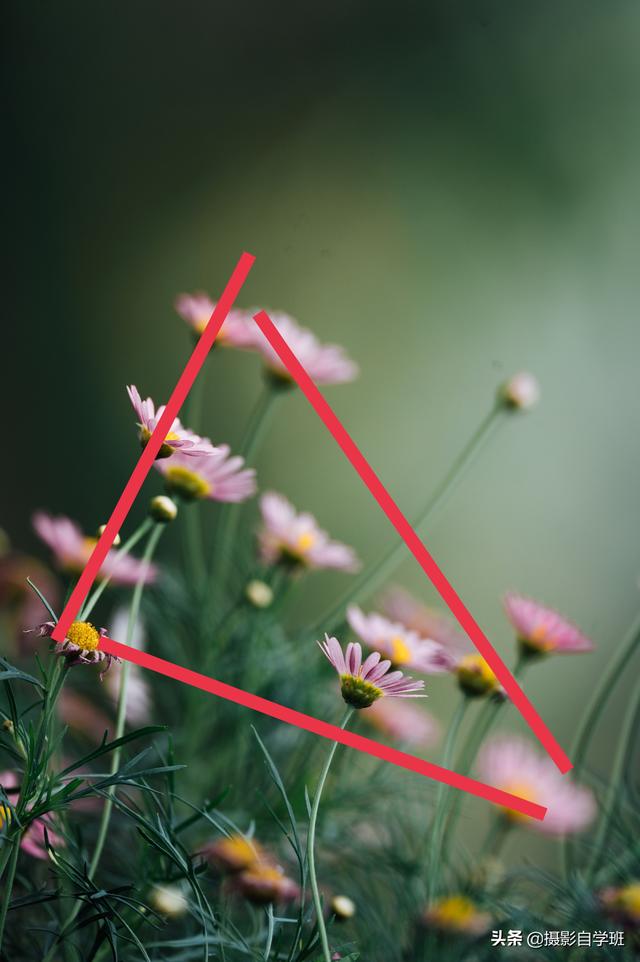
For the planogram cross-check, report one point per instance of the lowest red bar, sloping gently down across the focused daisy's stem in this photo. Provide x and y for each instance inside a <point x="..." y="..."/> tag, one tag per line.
<point x="318" y="727"/>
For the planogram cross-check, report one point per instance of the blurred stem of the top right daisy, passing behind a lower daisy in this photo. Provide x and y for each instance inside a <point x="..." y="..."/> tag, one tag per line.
<point x="230" y="513"/>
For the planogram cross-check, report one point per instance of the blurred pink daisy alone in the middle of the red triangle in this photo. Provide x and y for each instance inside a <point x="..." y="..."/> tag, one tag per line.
<point x="289" y="537"/>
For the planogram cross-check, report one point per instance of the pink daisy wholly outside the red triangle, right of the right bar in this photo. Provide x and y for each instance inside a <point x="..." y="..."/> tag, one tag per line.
<point x="542" y="630"/>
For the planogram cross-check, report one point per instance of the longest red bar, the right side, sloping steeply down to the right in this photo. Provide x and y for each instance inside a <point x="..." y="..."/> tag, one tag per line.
<point x="412" y="541"/>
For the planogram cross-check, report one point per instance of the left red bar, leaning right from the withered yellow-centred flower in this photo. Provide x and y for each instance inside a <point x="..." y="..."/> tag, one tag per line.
<point x="146" y="459"/>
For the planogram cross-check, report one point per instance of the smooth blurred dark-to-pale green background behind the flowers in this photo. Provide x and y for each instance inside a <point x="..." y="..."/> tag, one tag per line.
<point x="450" y="190"/>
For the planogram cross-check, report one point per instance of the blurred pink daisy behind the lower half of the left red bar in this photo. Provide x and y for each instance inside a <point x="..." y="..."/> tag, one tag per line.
<point x="72" y="549"/>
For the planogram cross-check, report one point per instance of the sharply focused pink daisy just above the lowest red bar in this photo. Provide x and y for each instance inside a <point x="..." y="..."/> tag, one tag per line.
<point x="362" y="683"/>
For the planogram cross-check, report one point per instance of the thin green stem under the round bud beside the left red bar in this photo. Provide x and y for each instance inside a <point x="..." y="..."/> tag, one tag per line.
<point x="121" y="716"/>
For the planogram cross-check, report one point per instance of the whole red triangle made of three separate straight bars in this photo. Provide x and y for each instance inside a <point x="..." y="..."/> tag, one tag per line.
<point x="393" y="513"/>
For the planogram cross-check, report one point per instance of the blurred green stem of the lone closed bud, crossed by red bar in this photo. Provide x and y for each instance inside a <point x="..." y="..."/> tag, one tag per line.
<point x="370" y="579"/>
